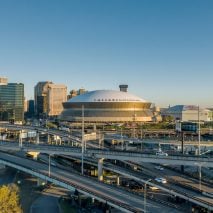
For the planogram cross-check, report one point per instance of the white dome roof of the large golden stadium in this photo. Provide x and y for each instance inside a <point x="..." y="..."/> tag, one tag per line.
<point x="106" y="96"/>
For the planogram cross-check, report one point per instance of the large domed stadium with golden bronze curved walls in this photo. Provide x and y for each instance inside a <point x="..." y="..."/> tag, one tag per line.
<point x="106" y="106"/>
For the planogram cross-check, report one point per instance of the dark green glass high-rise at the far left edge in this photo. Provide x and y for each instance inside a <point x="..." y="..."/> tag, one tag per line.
<point x="12" y="102"/>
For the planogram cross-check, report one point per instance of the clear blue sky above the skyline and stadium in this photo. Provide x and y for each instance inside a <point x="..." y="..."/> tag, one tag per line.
<point x="163" y="49"/>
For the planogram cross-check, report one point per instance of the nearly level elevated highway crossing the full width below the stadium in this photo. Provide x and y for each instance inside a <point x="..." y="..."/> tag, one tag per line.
<point x="189" y="160"/>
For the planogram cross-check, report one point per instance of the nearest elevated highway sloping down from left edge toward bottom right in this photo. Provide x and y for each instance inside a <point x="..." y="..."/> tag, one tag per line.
<point x="116" y="197"/>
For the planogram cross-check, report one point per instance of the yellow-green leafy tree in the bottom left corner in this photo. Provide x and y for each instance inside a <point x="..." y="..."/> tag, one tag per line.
<point x="9" y="199"/>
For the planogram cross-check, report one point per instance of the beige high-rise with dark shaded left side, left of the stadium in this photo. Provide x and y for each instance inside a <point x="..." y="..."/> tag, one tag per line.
<point x="49" y="98"/>
